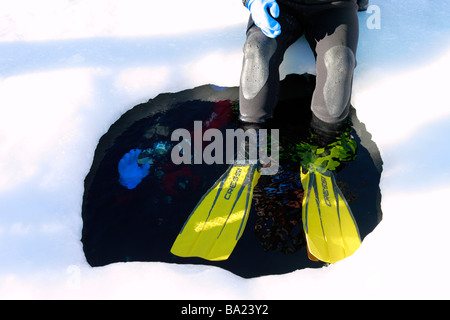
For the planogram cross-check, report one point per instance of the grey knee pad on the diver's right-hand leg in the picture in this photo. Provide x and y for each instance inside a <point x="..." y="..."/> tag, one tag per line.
<point x="340" y="63"/>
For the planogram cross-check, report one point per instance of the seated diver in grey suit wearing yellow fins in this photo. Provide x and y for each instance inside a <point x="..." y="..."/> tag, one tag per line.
<point x="332" y="30"/>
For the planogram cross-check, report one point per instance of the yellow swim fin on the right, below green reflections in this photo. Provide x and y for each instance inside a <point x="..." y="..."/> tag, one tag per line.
<point x="331" y="231"/>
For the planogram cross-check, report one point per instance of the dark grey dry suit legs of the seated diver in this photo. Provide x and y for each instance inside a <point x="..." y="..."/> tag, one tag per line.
<point x="331" y="29"/>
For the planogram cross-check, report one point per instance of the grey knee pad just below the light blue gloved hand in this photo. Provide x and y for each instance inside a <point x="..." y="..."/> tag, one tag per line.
<point x="258" y="50"/>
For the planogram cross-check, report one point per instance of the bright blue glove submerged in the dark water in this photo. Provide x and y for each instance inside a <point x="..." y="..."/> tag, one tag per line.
<point x="131" y="174"/>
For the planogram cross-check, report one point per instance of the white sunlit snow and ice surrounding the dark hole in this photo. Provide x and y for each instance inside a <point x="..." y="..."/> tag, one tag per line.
<point x="70" y="68"/>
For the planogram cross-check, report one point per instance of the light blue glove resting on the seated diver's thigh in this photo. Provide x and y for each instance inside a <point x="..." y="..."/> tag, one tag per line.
<point x="263" y="14"/>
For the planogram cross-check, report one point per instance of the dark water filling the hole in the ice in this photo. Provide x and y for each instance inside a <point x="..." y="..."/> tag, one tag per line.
<point x="121" y="225"/>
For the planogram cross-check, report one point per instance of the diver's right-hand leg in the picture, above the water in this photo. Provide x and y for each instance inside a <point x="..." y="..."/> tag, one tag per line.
<point x="333" y="35"/>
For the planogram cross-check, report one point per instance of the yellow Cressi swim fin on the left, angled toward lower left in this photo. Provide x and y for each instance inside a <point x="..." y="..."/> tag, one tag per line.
<point x="218" y="221"/>
